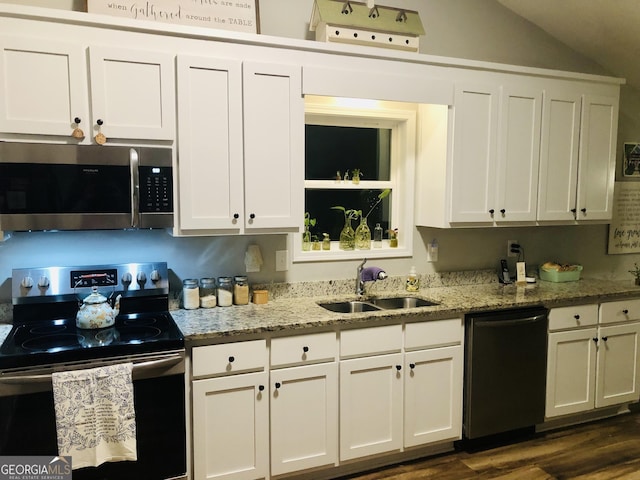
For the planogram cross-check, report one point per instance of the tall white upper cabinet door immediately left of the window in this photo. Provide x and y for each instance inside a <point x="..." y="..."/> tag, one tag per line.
<point x="273" y="146"/>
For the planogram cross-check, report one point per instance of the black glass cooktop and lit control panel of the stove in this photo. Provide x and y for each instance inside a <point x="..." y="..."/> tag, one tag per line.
<point x="45" y="302"/>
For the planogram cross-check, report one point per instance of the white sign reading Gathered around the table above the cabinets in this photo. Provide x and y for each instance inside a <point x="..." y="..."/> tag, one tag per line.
<point x="238" y="15"/>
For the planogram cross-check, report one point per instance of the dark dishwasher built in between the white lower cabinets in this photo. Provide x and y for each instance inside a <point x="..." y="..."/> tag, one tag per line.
<point x="505" y="371"/>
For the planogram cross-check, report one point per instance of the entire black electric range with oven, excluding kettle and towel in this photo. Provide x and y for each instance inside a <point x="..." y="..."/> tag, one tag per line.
<point x="44" y="339"/>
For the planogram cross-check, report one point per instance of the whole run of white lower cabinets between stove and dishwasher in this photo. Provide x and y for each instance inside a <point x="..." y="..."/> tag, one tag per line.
<point x="314" y="401"/>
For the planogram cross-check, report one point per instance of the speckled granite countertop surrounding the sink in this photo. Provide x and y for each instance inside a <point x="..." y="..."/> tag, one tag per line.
<point x="289" y="314"/>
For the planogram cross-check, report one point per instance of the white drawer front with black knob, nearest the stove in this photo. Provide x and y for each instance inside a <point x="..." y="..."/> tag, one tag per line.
<point x="230" y="358"/>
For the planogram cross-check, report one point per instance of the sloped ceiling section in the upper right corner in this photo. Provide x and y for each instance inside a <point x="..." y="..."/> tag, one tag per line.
<point x="605" y="31"/>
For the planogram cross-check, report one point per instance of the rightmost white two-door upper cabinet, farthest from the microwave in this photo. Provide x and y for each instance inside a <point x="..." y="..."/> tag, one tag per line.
<point x="577" y="166"/>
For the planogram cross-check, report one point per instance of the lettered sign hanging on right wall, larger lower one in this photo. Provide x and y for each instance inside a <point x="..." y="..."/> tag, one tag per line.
<point x="624" y="230"/>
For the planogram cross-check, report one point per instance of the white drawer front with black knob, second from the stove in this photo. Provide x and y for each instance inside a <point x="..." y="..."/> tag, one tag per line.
<point x="302" y="349"/>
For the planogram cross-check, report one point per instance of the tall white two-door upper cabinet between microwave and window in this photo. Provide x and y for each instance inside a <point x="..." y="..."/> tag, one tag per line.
<point x="240" y="146"/>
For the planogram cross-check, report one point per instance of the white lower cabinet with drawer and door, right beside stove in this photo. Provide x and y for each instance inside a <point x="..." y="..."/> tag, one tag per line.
<point x="231" y="412"/>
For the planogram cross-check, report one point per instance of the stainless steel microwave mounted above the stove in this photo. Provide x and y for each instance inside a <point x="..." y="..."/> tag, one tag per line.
<point x="84" y="187"/>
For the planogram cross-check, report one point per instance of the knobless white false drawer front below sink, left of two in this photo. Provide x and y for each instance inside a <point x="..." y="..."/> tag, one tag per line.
<point x="371" y="341"/>
